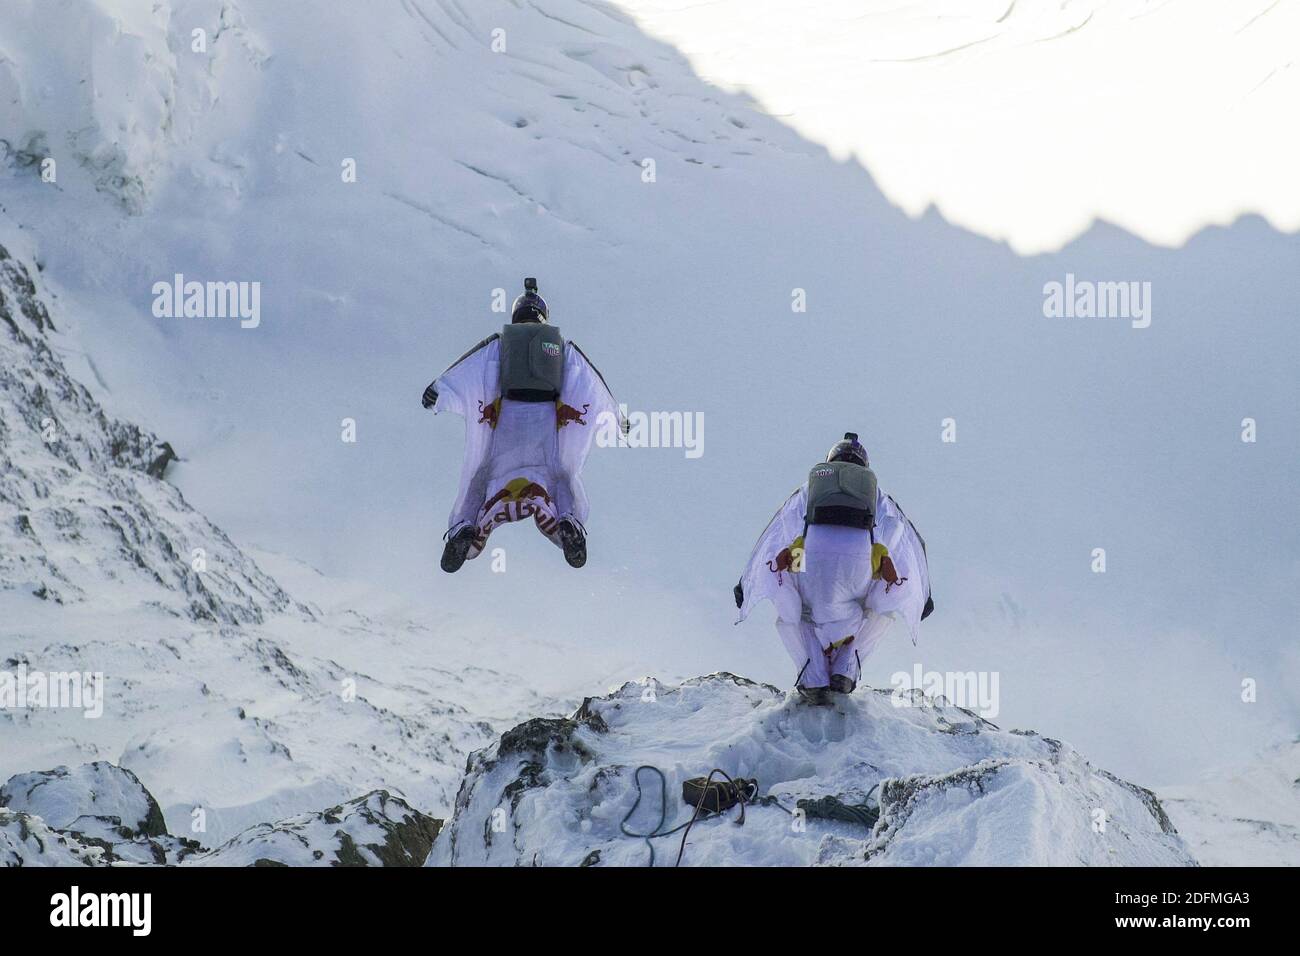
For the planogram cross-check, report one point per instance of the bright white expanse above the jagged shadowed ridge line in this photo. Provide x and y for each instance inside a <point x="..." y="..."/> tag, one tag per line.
<point x="1026" y="120"/>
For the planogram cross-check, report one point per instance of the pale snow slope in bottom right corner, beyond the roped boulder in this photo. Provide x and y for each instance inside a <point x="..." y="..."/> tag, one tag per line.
<point x="1243" y="817"/>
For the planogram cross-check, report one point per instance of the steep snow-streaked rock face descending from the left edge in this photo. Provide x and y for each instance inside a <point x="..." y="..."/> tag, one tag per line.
<point x="84" y="507"/>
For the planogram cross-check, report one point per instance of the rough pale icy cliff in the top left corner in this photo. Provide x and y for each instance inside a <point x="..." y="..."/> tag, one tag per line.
<point x="116" y="89"/>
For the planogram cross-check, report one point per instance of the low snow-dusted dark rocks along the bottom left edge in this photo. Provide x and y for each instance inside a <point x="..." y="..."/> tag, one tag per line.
<point x="101" y="815"/>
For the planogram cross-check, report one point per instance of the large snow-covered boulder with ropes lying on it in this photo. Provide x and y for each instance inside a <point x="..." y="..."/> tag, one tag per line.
<point x="951" y="789"/>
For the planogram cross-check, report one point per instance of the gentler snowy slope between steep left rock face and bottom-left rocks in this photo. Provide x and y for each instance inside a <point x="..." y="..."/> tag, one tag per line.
<point x="257" y="725"/>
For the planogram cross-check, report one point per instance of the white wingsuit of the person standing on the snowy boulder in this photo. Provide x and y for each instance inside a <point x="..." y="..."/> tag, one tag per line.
<point x="833" y="604"/>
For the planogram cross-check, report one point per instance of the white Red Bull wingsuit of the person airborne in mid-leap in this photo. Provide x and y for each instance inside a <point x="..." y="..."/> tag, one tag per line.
<point x="523" y="460"/>
